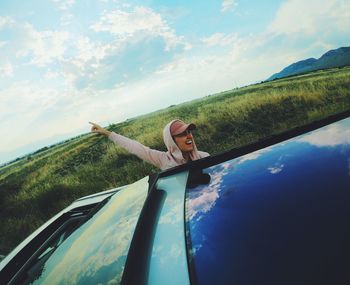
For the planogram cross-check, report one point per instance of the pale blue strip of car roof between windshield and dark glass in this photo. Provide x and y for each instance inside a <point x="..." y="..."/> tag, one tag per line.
<point x="168" y="264"/>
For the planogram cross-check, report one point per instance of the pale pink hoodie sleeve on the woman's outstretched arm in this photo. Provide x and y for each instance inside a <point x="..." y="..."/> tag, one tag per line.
<point x="145" y="153"/>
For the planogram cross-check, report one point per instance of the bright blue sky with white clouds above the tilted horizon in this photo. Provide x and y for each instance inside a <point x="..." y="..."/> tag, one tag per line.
<point x="65" y="63"/>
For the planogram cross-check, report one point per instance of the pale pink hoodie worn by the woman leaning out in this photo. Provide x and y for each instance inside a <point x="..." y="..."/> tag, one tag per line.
<point x="164" y="160"/>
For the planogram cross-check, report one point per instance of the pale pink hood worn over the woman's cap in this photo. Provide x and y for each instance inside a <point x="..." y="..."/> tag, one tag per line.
<point x="174" y="150"/>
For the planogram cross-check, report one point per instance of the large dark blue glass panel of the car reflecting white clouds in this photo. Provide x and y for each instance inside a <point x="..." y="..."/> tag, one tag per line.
<point x="275" y="216"/>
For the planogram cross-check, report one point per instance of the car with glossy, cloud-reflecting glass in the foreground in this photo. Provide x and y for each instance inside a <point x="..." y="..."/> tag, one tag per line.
<point x="272" y="212"/>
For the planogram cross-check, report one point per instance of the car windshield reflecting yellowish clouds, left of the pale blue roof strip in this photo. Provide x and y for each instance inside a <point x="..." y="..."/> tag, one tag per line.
<point x="95" y="252"/>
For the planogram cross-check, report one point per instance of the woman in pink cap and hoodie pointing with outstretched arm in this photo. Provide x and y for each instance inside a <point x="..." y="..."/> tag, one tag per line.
<point x="177" y="138"/>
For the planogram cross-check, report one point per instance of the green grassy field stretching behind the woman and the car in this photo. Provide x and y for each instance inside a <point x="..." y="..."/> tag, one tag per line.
<point x="34" y="188"/>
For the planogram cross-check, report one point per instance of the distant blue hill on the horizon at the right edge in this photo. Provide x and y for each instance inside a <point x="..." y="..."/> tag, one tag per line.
<point x="333" y="58"/>
